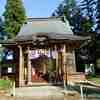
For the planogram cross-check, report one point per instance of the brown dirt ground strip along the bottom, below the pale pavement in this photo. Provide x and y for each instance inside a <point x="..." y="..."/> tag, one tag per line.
<point x="53" y="97"/>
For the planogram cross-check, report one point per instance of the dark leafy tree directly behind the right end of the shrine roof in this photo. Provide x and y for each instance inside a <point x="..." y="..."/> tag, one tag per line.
<point x="80" y="24"/>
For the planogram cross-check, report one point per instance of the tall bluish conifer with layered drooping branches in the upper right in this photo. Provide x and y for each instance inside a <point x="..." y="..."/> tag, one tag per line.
<point x="88" y="10"/>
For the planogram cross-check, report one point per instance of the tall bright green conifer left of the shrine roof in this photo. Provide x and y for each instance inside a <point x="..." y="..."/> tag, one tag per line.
<point x="14" y="16"/>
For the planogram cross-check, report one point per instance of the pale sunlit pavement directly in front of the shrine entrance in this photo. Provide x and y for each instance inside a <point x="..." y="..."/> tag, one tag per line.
<point x="38" y="91"/>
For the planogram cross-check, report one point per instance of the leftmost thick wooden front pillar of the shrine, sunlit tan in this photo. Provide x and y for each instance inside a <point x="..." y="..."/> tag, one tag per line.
<point x="21" y="66"/>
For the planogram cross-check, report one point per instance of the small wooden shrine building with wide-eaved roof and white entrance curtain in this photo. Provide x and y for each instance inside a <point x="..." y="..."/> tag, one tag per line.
<point x="44" y="49"/>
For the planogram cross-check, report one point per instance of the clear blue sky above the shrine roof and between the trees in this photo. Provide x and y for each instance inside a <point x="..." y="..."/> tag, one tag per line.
<point x="36" y="8"/>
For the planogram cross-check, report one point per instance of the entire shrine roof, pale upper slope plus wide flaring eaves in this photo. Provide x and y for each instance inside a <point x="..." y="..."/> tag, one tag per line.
<point x="53" y="28"/>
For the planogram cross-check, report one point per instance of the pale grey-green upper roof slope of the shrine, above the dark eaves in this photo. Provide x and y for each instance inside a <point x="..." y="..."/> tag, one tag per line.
<point x="45" y="25"/>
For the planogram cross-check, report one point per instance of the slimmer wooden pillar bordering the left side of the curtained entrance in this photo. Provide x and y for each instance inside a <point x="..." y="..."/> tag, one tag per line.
<point x="29" y="68"/>
